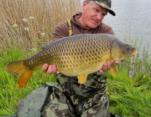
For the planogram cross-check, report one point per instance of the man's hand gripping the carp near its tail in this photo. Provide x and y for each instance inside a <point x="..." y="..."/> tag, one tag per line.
<point x="50" y="68"/>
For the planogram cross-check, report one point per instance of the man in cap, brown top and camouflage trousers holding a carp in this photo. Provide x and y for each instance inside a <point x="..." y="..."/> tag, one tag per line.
<point x="68" y="98"/>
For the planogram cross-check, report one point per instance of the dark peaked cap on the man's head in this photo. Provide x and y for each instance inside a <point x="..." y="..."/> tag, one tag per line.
<point x="105" y="4"/>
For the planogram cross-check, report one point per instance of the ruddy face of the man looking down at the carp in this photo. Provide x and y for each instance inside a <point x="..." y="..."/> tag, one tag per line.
<point x="93" y="14"/>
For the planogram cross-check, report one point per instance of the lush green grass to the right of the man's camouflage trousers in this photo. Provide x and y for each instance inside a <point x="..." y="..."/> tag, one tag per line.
<point x="130" y="96"/>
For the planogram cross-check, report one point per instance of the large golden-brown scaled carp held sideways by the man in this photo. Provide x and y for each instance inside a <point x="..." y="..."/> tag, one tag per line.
<point x="77" y="55"/>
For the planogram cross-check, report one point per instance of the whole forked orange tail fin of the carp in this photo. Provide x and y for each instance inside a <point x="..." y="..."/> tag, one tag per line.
<point x="22" y="70"/>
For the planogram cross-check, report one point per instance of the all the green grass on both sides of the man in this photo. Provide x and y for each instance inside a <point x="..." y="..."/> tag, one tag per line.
<point x="129" y="96"/>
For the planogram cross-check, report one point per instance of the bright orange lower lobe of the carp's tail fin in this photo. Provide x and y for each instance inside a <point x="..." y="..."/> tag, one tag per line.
<point x="24" y="77"/>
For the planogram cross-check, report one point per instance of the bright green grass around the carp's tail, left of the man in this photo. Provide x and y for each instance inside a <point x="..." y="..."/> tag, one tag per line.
<point x="10" y="95"/>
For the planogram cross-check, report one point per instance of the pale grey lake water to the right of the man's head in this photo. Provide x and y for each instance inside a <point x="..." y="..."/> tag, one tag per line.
<point x="132" y="21"/>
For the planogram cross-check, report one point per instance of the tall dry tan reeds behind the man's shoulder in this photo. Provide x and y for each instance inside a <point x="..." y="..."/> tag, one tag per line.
<point x="30" y="23"/>
